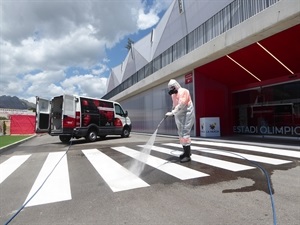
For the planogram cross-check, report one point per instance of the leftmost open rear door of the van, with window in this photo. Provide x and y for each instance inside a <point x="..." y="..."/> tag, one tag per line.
<point x="43" y="108"/>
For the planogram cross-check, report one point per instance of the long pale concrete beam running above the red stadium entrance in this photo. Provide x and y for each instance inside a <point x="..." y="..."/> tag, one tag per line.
<point x="282" y="15"/>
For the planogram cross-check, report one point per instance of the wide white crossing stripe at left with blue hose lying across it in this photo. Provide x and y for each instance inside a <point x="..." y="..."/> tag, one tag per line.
<point x="57" y="187"/>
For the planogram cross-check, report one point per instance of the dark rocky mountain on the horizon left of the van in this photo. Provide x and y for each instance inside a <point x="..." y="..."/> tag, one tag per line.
<point x="14" y="102"/>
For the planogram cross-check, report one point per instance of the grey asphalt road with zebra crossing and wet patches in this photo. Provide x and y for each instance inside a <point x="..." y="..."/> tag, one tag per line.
<point x="94" y="183"/>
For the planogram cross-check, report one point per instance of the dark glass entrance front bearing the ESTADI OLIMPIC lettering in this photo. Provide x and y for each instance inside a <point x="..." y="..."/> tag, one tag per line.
<point x="272" y="110"/>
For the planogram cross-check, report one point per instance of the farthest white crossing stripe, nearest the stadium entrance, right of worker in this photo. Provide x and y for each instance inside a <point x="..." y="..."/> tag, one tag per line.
<point x="274" y="151"/>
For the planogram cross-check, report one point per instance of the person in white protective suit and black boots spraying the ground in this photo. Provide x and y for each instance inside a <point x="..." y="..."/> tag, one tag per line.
<point x="183" y="111"/>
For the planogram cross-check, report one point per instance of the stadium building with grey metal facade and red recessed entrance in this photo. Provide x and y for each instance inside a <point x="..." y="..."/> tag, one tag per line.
<point x="240" y="60"/>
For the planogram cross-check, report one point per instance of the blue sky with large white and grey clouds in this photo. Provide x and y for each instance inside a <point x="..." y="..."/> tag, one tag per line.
<point x="55" y="47"/>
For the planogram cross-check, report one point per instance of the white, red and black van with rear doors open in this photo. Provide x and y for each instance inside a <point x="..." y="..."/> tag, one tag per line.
<point x="69" y="116"/>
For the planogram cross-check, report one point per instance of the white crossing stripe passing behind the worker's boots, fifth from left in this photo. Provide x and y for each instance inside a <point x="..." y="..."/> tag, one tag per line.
<point x="209" y="161"/>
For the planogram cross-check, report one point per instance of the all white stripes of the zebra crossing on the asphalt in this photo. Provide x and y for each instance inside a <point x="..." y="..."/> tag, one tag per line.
<point x="53" y="181"/>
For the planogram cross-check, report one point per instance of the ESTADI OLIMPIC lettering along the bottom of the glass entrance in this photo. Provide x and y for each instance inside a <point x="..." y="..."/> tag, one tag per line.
<point x="268" y="130"/>
